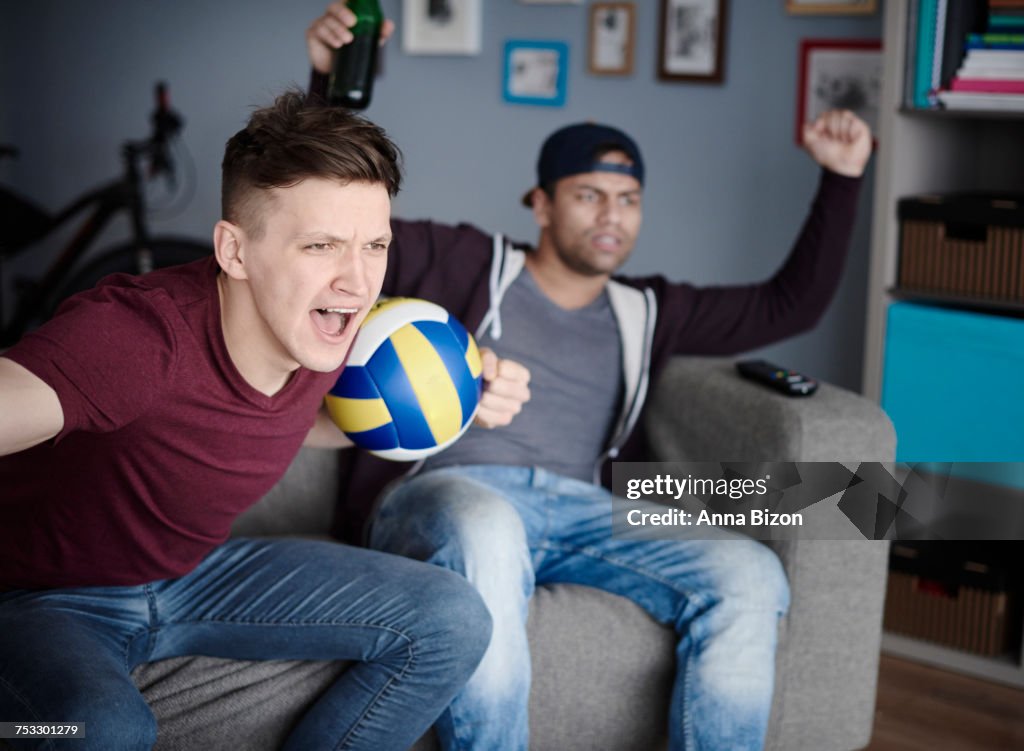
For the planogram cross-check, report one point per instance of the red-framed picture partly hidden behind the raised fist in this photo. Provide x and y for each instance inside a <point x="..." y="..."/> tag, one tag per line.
<point x="839" y="74"/>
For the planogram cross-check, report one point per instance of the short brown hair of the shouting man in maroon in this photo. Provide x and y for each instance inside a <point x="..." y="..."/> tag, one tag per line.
<point x="290" y="141"/>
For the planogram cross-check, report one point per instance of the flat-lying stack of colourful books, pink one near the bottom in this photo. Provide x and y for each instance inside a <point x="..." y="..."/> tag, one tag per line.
<point x="992" y="76"/>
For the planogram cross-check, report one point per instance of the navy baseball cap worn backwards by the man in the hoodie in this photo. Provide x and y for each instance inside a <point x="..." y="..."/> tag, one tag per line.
<point x="576" y="149"/>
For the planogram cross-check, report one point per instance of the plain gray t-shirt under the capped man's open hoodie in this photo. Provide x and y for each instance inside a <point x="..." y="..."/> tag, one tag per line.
<point x="575" y="360"/>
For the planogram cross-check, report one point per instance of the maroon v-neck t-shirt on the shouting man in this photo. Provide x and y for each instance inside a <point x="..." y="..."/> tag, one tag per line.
<point x="164" y="443"/>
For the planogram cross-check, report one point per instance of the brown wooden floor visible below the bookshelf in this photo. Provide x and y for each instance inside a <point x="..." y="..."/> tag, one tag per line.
<point x="921" y="708"/>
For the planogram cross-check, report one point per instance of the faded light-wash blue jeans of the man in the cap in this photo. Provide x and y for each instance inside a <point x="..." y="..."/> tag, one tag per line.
<point x="507" y="529"/>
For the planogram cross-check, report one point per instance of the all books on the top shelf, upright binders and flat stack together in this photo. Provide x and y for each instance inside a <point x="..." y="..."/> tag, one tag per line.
<point x="965" y="55"/>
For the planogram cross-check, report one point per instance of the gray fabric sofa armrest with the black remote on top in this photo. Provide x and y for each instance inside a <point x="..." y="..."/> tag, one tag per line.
<point x="827" y="664"/>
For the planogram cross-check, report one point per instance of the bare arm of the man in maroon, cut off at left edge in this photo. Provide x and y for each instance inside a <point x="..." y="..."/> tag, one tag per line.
<point x="31" y="411"/>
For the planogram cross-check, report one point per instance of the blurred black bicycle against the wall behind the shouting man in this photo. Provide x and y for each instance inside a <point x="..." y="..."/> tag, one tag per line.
<point x="23" y="224"/>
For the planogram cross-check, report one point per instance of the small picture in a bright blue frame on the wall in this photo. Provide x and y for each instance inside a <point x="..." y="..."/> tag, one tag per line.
<point x="536" y="72"/>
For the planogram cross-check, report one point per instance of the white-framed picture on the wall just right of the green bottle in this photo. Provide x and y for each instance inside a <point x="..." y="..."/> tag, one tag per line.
<point x="442" y="27"/>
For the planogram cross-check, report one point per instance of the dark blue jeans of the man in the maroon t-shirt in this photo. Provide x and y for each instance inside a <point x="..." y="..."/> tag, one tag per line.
<point x="416" y="632"/>
